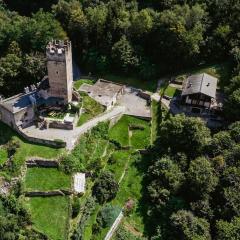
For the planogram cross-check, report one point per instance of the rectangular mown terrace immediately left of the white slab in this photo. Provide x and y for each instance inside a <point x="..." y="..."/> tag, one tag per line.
<point x="46" y="179"/>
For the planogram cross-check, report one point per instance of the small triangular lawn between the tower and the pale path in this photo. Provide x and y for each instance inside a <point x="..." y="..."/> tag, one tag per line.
<point x="92" y="109"/>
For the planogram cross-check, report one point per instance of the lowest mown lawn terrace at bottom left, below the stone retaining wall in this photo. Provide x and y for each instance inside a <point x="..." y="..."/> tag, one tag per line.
<point x="50" y="216"/>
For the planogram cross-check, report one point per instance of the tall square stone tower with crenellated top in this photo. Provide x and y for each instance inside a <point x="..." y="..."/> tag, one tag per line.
<point x="59" y="66"/>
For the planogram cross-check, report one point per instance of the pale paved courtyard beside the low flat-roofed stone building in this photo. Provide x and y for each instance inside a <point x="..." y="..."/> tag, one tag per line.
<point x="134" y="104"/>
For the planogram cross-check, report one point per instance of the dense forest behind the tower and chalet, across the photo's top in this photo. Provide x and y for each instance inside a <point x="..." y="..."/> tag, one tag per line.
<point x="143" y="38"/>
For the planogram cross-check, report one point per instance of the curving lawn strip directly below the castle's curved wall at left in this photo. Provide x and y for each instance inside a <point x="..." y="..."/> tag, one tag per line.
<point x="26" y="148"/>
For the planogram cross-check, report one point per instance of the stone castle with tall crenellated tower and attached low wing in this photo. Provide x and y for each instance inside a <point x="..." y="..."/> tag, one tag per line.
<point x="56" y="89"/>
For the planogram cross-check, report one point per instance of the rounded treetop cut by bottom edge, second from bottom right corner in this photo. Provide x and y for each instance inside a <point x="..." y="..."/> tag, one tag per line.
<point x="187" y="226"/>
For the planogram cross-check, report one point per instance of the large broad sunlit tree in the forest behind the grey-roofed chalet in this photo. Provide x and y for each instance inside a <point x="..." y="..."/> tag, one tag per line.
<point x="179" y="34"/>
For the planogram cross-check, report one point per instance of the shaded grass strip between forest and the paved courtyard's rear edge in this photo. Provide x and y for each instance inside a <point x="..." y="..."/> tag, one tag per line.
<point x="149" y="85"/>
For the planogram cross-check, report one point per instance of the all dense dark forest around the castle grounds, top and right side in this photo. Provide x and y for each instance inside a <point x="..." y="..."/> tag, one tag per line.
<point x="193" y="180"/>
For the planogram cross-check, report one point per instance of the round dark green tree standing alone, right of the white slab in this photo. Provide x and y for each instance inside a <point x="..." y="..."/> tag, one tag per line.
<point x="105" y="187"/>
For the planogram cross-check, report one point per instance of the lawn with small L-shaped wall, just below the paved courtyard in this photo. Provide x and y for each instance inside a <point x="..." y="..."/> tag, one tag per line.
<point x="140" y="138"/>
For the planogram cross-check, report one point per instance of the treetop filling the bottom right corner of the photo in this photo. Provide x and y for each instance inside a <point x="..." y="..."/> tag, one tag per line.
<point x="228" y="230"/>
